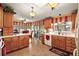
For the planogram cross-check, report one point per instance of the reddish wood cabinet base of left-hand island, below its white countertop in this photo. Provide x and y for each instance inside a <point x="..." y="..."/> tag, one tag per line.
<point x="16" y="43"/>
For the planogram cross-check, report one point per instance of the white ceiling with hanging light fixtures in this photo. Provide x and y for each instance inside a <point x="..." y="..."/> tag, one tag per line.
<point x="23" y="10"/>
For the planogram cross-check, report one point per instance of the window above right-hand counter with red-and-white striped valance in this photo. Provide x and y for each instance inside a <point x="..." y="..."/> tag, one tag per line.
<point x="65" y="23"/>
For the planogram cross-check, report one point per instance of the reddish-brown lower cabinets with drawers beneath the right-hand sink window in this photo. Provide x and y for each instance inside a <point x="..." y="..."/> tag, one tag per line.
<point x="65" y="43"/>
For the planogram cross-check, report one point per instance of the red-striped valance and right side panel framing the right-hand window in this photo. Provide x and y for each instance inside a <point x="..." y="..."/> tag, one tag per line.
<point x="69" y="17"/>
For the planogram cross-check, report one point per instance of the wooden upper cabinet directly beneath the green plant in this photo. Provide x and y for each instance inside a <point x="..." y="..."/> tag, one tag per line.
<point x="8" y="19"/>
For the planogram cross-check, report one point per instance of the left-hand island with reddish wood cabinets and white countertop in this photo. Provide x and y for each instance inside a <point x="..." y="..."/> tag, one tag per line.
<point x="15" y="42"/>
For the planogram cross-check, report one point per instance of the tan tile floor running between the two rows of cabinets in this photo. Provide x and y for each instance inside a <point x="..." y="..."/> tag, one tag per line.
<point x="36" y="48"/>
